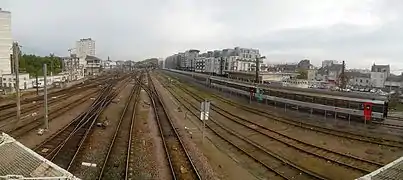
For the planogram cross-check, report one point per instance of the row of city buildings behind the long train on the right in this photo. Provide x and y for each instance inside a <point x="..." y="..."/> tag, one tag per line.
<point x="302" y="74"/>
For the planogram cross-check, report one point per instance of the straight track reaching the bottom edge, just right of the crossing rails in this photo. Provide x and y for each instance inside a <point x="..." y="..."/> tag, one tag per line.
<point x="117" y="160"/>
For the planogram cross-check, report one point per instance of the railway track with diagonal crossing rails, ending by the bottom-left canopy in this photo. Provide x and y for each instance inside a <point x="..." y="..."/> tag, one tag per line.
<point x="62" y="147"/>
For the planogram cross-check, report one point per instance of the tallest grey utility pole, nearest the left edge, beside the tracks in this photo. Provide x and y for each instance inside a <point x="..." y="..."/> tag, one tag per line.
<point x="16" y="56"/>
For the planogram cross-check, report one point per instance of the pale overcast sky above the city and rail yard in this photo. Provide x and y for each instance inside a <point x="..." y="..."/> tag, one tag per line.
<point x="359" y="31"/>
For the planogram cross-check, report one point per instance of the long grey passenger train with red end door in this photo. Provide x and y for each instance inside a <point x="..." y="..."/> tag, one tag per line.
<point x="346" y="105"/>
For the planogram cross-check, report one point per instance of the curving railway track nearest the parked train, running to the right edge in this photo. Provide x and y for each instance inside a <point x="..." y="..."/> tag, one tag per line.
<point x="311" y="127"/>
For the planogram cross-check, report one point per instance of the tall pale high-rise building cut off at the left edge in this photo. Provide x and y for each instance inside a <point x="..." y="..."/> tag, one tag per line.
<point x="6" y="42"/>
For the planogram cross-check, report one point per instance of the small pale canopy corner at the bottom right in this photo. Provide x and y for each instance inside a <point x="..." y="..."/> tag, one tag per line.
<point x="391" y="171"/>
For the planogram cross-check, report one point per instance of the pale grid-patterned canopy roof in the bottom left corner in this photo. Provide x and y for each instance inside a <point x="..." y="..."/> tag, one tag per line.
<point x="20" y="162"/>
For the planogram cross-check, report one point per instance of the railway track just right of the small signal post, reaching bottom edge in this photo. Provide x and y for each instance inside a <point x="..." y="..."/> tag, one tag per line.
<point x="276" y="164"/>
